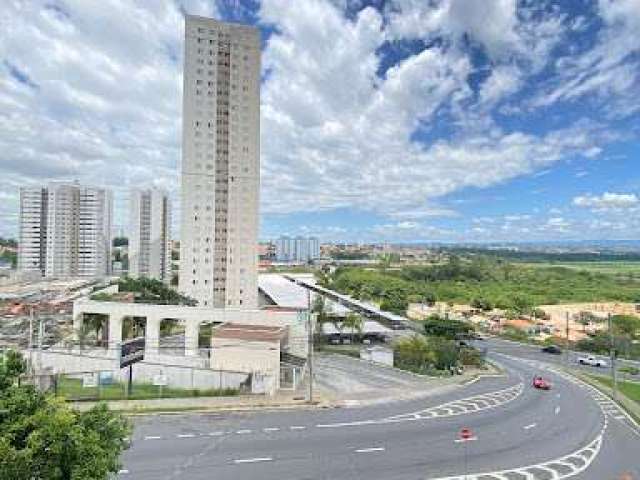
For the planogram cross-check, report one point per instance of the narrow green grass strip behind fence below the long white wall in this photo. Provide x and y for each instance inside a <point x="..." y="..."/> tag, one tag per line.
<point x="72" y="389"/>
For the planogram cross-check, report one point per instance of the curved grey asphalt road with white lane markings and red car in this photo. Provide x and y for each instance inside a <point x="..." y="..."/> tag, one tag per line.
<point x="521" y="433"/>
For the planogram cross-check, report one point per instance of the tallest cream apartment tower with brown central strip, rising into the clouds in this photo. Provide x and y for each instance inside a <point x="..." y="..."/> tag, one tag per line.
<point x="220" y="164"/>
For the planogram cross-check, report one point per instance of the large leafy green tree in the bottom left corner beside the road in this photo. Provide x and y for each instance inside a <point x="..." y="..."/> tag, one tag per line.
<point x="42" y="438"/>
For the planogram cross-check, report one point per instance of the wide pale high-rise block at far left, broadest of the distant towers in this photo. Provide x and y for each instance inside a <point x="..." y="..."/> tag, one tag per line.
<point x="75" y="230"/>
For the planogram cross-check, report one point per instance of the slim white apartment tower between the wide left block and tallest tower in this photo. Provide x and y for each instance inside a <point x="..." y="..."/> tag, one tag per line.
<point x="149" y="234"/>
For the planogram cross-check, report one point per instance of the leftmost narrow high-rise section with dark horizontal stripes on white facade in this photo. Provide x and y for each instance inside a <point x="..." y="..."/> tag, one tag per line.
<point x="32" y="243"/>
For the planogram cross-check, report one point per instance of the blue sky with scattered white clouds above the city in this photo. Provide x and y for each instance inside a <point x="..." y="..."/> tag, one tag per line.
<point x="381" y="121"/>
